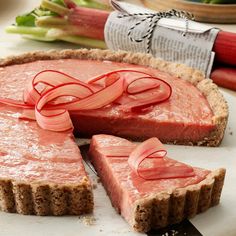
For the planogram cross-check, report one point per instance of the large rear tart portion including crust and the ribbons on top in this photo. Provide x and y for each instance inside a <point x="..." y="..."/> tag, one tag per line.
<point x="129" y="95"/>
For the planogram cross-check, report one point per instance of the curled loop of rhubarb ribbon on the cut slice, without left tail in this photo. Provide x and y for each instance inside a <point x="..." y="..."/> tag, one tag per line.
<point x="148" y="160"/>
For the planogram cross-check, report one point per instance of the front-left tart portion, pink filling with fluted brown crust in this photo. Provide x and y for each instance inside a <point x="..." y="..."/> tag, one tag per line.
<point x="41" y="172"/>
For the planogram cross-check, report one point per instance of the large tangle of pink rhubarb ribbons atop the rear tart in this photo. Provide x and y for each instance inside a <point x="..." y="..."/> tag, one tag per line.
<point x="52" y="95"/>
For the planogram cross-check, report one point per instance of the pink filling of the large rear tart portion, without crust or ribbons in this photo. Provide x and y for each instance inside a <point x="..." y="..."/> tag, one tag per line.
<point x="185" y="116"/>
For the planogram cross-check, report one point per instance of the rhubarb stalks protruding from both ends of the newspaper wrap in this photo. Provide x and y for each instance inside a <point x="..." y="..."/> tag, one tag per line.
<point x="83" y="21"/>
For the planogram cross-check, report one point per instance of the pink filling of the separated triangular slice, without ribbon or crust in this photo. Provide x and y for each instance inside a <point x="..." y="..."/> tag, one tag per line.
<point x="124" y="187"/>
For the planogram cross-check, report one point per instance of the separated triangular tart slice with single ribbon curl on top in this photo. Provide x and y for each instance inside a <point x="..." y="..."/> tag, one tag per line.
<point x="149" y="189"/>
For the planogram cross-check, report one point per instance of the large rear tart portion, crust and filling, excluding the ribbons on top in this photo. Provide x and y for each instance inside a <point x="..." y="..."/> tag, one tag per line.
<point x="195" y="114"/>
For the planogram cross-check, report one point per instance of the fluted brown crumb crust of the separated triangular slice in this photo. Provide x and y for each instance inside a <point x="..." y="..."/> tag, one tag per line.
<point x="166" y="208"/>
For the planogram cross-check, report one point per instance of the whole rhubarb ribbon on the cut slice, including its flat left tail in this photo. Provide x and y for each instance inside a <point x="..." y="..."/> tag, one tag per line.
<point x="148" y="160"/>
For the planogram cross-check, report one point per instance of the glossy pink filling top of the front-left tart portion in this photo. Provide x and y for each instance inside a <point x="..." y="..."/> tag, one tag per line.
<point x="29" y="153"/>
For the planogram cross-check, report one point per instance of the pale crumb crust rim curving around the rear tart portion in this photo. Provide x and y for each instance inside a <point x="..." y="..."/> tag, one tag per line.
<point x="206" y="86"/>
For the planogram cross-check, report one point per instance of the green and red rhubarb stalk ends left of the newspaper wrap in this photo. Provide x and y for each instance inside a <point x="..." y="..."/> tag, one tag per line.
<point x="80" y="25"/>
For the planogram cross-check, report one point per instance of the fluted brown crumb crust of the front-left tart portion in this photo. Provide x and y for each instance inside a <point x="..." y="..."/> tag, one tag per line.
<point x="42" y="198"/>
